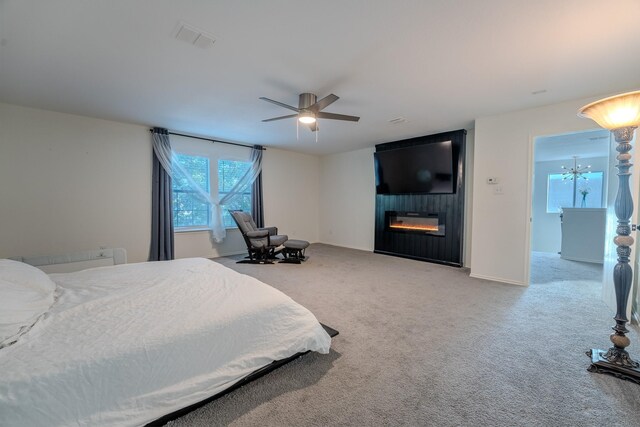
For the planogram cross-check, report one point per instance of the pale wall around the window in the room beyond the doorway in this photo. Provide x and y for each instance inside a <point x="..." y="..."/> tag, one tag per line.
<point x="546" y="235"/>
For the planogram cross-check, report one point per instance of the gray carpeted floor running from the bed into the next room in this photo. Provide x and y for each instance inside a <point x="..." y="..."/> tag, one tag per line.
<point x="422" y="344"/>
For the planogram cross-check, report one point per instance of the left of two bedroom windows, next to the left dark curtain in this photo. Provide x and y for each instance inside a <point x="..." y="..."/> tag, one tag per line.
<point x="189" y="209"/>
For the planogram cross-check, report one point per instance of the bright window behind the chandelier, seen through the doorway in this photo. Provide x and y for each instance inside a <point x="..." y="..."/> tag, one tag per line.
<point x="588" y="191"/>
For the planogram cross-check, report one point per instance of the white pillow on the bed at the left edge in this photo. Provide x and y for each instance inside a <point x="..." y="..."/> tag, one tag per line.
<point x="26" y="293"/>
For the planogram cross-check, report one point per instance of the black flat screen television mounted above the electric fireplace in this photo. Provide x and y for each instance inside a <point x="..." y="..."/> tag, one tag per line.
<point x="420" y="169"/>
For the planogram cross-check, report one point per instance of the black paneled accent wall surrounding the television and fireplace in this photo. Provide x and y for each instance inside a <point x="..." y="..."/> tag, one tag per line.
<point x="445" y="249"/>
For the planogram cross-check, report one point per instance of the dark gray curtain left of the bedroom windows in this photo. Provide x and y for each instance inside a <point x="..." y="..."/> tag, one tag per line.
<point x="161" y="203"/>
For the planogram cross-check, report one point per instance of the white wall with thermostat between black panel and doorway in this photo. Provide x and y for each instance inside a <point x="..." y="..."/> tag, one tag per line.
<point x="504" y="149"/>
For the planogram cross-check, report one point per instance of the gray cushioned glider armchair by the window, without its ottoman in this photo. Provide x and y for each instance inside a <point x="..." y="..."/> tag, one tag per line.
<point x="262" y="243"/>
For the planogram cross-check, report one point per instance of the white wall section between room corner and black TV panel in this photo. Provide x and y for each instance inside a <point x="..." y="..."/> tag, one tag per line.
<point x="347" y="199"/>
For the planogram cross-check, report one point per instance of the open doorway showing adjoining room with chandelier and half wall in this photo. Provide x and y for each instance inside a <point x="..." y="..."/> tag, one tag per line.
<point x="568" y="211"/>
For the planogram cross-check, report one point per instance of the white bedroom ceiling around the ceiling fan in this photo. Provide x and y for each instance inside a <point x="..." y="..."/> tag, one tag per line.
<point x="438" y="63"/>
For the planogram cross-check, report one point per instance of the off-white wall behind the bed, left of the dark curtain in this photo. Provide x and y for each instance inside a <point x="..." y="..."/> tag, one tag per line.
<point x="70" y="183"/>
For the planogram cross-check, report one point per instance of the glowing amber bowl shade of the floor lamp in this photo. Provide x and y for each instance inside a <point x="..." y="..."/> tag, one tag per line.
<point x="614" y="112"/>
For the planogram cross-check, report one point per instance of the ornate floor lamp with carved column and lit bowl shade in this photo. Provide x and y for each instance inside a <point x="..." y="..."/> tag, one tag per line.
<point x="621" y="115"/>
